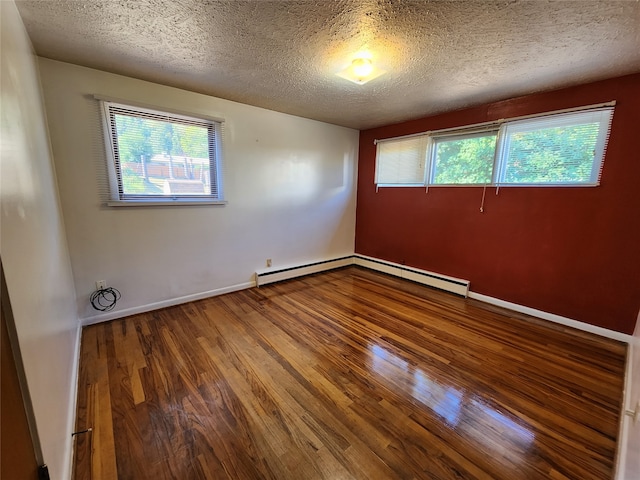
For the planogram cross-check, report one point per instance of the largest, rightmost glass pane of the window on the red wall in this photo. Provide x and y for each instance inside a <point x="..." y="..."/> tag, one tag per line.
<point x="555" y="150"/>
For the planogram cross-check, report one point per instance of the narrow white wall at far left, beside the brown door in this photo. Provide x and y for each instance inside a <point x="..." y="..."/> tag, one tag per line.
<point x="34" y="249"/>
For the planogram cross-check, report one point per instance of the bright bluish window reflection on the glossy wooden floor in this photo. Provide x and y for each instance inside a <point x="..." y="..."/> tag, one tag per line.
<point x="459" y="410"/>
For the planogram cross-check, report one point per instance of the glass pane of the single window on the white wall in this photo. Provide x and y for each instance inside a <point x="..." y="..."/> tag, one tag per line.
<point x="162" y="158"/>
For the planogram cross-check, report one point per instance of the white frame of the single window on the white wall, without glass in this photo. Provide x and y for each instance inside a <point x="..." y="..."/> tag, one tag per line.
<point x="117" y="196"/>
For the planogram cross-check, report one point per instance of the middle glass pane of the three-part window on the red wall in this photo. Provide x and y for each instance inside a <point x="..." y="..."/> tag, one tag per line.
<point x="465" y="159"/>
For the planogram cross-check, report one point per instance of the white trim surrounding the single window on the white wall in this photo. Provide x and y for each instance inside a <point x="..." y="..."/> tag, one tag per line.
<point x="115" y="199"/>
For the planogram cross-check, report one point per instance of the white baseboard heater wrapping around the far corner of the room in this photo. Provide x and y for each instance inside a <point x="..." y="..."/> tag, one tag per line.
<point x="431" y="279"/>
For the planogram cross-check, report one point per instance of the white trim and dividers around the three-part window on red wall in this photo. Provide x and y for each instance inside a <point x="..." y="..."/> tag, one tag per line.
<point x="499" y="162"/>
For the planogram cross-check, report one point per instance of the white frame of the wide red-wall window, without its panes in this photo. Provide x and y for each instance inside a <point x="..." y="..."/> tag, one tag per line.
<point x="500" y="129"/>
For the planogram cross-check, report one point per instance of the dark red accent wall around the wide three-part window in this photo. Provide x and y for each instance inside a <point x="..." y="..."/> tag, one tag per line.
<point x="573" y="251"/>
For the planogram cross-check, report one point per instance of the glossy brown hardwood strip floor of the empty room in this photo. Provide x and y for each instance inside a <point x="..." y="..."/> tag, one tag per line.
<point x="341" y="375"/>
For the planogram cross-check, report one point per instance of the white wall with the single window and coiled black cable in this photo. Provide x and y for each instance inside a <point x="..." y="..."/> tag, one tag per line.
<point x="289" y="181"/>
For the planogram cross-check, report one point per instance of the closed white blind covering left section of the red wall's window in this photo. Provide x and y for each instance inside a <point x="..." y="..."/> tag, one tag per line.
<point x="401" y="161"/>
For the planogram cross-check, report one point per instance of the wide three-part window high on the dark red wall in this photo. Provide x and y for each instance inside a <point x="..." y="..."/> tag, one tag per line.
<point x="554" y="149"/>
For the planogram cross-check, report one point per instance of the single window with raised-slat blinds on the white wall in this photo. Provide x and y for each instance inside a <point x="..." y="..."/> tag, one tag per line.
<point x="159" y="157"/>
